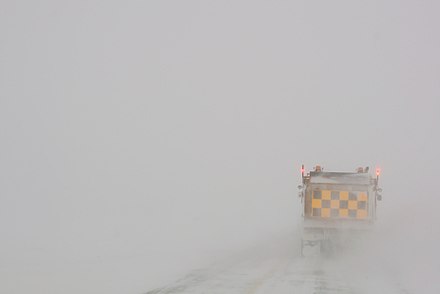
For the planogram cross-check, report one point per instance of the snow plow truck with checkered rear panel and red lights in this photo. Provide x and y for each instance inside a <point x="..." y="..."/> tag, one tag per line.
<point x="337" y="207"/>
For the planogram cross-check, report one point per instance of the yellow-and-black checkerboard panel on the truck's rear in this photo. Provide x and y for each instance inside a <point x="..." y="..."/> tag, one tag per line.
<point x="339" y="204"/>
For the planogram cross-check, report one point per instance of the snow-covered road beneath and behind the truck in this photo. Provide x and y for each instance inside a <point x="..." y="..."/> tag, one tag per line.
<point x="278" y="268"/>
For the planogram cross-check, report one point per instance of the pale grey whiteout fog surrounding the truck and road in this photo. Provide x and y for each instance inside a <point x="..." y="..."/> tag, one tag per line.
<point x="141" y="140"/>
